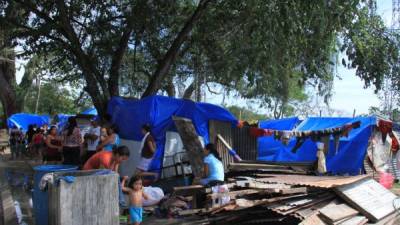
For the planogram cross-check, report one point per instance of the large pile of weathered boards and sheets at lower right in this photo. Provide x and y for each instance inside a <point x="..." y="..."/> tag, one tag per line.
<point x="264" y="197"/>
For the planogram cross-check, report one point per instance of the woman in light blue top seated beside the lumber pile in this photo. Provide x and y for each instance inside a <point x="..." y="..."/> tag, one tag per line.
<point x="213" y="167"/>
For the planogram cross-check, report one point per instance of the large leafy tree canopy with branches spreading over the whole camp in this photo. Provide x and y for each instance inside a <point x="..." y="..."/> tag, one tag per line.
<point x="257" y="48"/>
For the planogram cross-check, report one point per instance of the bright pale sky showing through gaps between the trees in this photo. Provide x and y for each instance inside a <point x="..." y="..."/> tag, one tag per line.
<point x="348" y="92"/>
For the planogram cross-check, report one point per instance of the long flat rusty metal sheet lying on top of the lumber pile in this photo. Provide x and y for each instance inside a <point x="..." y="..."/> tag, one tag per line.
<point x="312" y="181"/>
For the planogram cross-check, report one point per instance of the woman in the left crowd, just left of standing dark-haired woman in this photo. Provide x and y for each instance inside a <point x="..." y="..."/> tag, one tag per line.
<point x="52" y="152"/>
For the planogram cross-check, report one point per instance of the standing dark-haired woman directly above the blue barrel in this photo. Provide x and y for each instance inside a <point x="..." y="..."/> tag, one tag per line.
<point x="72" y="141"/>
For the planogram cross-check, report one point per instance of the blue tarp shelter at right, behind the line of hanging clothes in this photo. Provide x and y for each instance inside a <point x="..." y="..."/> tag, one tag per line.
<point x="352" y="149"/>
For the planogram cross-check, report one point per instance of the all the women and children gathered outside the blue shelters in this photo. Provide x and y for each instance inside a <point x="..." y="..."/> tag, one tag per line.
<point x="100" y="148"/>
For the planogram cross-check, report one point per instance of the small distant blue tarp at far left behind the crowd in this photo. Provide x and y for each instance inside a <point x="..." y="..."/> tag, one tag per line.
<point x="23" y="120"/>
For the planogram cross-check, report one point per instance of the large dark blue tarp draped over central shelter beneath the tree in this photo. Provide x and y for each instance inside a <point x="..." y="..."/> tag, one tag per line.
<point x="130" y="115"/>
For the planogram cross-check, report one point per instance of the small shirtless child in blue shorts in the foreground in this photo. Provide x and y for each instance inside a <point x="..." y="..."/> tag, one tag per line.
<point x="135" y="190"/>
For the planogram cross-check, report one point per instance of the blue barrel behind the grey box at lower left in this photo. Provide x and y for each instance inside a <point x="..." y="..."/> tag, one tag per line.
<point x="41" y="198"/>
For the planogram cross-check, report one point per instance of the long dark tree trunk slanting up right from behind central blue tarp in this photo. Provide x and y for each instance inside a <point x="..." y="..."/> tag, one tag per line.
<point x="170" y="57"/>
